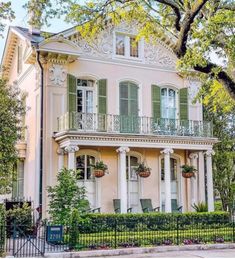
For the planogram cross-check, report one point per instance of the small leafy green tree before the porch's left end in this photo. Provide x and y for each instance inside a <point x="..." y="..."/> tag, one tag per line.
<point x="66" y="196"/>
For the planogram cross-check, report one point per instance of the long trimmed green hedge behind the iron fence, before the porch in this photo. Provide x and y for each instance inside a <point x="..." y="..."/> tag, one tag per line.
<point x="94" y="223"/>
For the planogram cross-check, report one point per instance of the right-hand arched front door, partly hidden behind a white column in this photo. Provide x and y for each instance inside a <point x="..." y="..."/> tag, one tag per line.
<point x="174" y="184"/>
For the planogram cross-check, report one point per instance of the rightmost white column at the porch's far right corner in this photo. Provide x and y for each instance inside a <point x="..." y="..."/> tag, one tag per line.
<point x="210" y="192"/>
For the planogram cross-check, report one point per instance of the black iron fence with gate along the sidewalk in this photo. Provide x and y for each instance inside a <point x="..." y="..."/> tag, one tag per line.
<point x="103" y="232"/>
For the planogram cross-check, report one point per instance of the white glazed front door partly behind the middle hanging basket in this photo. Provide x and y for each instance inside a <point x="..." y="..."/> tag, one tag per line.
<point x="132" y="183"/>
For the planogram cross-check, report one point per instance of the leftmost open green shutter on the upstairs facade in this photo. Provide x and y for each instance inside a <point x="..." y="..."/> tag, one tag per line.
<point x="72" y="93"/>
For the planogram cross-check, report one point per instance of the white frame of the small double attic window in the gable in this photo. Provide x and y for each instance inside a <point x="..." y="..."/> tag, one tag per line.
<point x="127" y="47"/>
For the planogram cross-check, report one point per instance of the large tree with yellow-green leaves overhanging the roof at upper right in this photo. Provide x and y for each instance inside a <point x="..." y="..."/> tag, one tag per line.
<point x="194" y="29"/>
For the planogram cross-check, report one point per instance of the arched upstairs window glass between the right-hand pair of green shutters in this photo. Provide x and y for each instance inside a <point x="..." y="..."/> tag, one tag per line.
<point x="168" y="103"/>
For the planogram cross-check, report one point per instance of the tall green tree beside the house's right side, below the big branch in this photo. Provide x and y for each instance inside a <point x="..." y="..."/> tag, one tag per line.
<point x="221" y="111"/>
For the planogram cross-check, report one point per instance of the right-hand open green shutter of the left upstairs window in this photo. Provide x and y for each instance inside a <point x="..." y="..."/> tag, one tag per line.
<point x="102" y="96"/>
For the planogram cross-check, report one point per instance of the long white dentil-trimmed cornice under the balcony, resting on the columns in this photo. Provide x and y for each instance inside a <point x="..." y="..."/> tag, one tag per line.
<point x="147" y="141"/>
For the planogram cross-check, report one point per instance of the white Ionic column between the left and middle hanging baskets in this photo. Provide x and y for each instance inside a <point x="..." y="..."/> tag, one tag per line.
<point x="122" y="178"/>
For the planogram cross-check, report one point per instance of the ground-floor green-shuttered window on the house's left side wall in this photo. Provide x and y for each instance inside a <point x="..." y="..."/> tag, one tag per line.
<point x="18" y="183"/>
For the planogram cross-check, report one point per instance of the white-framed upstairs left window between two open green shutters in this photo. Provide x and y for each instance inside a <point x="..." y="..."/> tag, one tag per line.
<point x="85" y="96"/>
